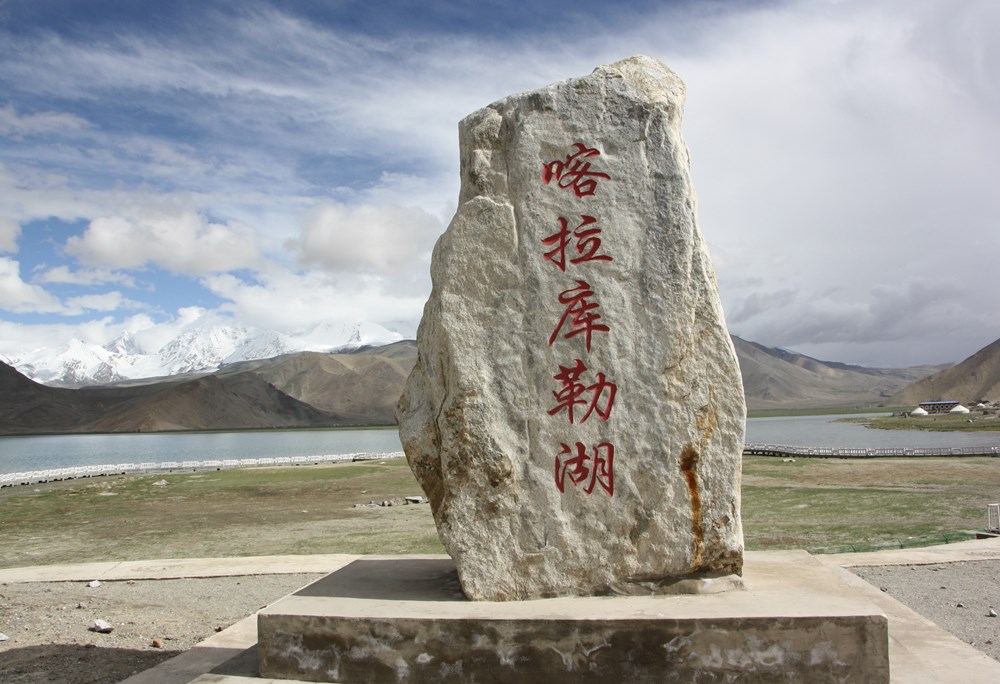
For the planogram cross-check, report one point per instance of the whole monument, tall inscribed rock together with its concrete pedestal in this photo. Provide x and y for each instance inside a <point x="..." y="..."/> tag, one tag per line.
<point x="576" y="419"/>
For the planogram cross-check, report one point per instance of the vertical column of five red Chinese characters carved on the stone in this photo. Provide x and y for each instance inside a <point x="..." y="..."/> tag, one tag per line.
<point x="580" y="393"/>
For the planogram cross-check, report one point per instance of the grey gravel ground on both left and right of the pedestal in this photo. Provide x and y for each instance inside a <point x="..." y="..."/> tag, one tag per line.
<point x="48" y="624"/>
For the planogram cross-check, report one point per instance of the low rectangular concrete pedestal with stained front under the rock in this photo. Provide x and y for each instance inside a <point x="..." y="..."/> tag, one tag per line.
<point x="404" y="619"/>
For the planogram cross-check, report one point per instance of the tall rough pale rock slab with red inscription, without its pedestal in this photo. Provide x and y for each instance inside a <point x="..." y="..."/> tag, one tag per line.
<point x="507" y="373"/>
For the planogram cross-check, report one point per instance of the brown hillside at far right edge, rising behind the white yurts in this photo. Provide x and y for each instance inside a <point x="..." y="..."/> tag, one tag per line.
<point x="975" y="379"/>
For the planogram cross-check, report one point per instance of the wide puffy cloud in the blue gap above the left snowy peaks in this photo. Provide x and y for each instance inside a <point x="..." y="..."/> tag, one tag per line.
<point x="184" y="243"/>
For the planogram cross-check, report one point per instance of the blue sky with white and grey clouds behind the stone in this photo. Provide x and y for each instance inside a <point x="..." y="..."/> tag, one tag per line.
<point x="278" y="164"/>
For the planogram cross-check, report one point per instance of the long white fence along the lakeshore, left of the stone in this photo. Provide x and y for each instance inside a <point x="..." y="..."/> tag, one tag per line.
<point x="56" y="474"/>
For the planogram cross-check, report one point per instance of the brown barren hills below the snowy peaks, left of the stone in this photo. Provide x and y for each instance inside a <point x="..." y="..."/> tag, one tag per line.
<point x="297" y="390"/>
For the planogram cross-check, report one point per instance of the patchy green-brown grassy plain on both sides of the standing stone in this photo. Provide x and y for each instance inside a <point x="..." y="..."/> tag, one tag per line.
<point x="810" y="503"/>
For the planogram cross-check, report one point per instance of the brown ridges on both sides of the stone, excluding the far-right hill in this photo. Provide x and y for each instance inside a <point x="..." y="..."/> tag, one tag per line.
<point x="360" y="387"/>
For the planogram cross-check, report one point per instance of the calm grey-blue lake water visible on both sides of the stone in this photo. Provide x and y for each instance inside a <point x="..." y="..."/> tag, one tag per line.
<point x="20" y="454"/>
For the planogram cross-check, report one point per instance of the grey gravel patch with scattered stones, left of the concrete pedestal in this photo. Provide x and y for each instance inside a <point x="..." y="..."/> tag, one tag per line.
<point x="49" y="624"/>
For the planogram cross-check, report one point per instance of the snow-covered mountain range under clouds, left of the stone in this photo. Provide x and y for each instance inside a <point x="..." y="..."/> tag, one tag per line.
<point x="196" y="348"/>
